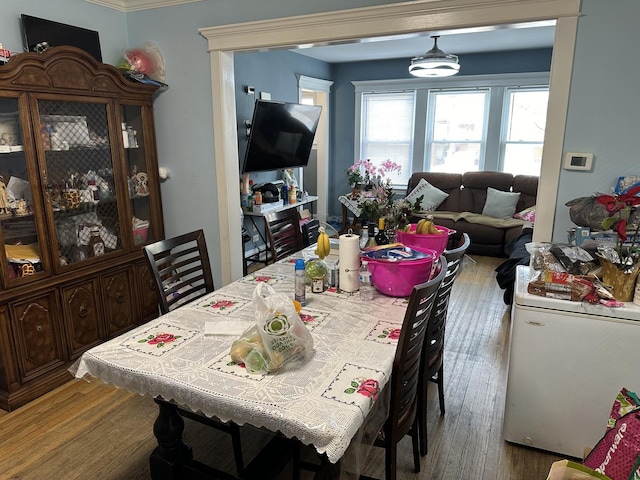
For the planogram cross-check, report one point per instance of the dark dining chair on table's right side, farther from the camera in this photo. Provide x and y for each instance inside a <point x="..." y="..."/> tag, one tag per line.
<point x="432" y="362"/>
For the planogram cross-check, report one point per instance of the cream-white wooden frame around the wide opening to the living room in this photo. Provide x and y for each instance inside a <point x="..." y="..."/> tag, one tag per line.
<point x="351" y="24"/>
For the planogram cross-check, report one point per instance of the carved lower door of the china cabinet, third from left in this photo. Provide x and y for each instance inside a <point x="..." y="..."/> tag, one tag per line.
<point x="117" y="301"/>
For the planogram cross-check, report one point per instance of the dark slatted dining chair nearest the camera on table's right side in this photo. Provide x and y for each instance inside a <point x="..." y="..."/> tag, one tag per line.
<point x="402" y="419"/>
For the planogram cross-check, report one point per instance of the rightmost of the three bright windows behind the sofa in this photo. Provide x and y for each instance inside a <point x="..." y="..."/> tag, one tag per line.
<point x="523" y="130"/>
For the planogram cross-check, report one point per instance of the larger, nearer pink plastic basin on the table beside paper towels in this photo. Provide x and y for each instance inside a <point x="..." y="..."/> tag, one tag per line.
<point x="397" y="279"/>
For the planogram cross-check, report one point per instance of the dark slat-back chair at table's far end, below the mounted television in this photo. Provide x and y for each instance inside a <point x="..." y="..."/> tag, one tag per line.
<point x="283" y="234"/>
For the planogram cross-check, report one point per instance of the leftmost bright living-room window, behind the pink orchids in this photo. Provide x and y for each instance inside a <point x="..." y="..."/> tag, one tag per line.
<point x="387" y="130"/>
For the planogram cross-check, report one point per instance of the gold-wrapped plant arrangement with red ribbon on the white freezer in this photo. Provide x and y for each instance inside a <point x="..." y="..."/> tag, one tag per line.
<point x="619" y="208"/>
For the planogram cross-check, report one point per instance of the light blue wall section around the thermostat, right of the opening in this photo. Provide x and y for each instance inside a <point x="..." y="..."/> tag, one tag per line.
<point x="604" y="106"/>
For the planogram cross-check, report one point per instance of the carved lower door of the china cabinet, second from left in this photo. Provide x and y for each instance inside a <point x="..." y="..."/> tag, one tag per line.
<point x="82" y="317"/>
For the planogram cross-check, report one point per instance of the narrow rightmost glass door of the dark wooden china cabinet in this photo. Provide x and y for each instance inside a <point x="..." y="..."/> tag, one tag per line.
<point x="133" y="139"/>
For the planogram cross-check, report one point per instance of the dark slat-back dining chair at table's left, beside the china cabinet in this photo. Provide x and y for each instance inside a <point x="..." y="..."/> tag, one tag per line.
<point x="182" y="273"/>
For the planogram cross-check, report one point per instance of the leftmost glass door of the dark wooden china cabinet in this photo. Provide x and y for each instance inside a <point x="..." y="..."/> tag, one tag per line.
<point x="22" y="258"/>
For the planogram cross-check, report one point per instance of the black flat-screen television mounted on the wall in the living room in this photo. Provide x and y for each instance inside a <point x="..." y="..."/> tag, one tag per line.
<point x="281" y="135"/>
